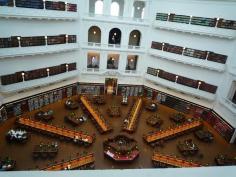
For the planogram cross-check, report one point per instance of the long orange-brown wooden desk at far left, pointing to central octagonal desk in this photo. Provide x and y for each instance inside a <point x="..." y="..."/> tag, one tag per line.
<point x="67" y="133"/>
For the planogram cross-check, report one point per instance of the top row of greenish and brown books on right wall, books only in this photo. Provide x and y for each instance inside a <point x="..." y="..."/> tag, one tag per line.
<point x="202" y="21"/>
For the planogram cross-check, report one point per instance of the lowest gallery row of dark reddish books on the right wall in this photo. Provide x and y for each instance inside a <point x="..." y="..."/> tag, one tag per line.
<point x="182" y="80"/>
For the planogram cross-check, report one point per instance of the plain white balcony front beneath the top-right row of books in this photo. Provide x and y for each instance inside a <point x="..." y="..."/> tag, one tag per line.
<point x="195" y="29"/>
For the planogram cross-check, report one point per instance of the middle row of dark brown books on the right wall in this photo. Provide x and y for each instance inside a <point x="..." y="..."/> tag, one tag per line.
<point x="211" y="56"/>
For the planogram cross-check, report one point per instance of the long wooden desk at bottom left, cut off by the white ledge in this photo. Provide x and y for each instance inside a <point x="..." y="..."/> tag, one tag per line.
<point x="72" y="164"/>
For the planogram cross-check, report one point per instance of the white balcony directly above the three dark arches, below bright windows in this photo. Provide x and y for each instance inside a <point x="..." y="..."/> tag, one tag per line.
<point x="117" y="19"/>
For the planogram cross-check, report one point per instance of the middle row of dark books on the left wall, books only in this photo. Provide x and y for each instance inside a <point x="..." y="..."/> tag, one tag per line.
<point x="35" y="40"/>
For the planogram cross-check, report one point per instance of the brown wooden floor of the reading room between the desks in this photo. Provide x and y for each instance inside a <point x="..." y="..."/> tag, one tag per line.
<point x="22" y="153"/>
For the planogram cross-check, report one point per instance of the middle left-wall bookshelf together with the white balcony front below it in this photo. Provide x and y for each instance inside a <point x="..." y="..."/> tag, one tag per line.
<point x="33" y="45"/>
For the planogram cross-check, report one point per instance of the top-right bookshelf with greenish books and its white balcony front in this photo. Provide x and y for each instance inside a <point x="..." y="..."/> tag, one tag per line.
<point x="209" y="26"/>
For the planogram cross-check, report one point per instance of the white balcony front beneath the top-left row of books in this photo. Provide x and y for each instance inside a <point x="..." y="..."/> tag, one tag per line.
<point x="33" y="13"/>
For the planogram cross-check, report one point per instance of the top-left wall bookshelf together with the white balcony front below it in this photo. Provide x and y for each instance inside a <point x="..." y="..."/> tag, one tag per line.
<point x="38" y="9"/>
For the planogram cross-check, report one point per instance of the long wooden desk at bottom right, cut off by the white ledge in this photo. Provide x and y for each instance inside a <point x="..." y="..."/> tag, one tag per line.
<point x="172" y="161"/>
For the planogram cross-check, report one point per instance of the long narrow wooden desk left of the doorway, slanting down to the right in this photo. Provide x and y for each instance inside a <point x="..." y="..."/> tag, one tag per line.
<point x="97" y="117"/>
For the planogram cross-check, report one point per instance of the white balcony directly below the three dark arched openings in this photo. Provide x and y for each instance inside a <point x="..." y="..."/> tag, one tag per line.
<point x="113" y="47"/>
